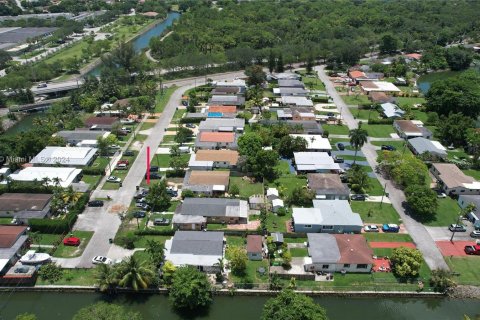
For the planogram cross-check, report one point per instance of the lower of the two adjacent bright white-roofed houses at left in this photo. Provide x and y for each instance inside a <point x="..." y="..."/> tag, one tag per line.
<point x="66" y="175"/>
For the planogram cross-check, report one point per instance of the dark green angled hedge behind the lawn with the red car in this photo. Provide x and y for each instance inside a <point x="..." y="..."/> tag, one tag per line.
<point x="60" y="226"/>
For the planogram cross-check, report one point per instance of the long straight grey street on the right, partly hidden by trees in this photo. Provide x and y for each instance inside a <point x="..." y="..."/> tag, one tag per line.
<point x="417" y="231"/>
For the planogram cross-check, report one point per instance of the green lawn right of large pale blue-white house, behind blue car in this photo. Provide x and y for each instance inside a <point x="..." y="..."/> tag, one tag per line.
<point x="371" y="212"/>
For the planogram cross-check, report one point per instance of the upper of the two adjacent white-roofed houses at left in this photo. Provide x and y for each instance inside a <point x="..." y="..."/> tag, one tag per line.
<point x="65" y="156"/>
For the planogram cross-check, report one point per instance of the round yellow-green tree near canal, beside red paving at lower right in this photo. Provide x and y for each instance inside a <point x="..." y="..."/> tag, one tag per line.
<point x="406" y="262"/>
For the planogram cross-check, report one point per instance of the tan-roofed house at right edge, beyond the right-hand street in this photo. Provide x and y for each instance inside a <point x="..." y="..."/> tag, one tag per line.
<point x="452" y="180"/>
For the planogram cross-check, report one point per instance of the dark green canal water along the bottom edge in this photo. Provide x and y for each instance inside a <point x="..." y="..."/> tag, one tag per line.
<point x="53" y="306"/>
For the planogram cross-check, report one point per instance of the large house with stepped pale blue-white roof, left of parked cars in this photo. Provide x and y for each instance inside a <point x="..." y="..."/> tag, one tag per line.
<point x="327" y="216"/>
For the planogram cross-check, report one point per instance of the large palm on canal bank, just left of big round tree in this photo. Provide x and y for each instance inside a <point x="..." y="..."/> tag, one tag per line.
<point x="134" y="274"/>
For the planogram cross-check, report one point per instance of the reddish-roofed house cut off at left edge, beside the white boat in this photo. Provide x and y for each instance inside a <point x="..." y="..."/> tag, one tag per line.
<point x="12" y="240"/>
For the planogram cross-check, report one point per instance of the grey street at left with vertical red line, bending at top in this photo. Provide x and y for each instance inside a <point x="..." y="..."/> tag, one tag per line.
<point x="105" y="221"/>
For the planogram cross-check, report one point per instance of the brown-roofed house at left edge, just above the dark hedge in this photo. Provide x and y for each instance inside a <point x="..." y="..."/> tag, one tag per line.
<point x="24" y="206"/>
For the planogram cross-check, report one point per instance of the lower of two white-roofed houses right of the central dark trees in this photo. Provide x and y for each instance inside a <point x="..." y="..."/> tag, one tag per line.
<point x="315" y="162"/>
